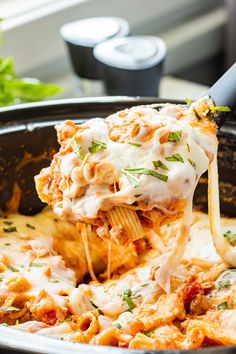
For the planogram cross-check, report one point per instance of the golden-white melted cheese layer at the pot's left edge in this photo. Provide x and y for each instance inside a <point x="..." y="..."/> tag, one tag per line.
<point x="29" y="253"/>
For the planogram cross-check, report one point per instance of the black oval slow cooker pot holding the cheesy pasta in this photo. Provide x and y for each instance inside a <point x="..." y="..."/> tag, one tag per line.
<point x="28" y="131"/>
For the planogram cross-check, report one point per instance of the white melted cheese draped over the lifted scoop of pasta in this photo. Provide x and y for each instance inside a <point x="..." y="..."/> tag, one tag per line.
<point x="194" y="147"/>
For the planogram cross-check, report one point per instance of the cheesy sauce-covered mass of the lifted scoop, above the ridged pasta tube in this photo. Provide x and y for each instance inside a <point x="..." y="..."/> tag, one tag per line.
<point x="139" y="155"/>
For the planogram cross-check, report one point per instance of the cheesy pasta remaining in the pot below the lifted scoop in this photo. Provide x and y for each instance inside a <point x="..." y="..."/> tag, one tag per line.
<point x="39" y="294"/>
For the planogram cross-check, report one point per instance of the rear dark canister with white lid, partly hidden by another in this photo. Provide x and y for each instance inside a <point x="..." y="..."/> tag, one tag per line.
<point x="81" y="37"/>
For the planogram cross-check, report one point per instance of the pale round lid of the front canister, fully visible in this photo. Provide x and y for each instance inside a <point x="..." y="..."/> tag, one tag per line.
<point x="131" y="53"/>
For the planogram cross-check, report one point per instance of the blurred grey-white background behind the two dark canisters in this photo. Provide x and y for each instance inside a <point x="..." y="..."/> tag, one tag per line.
<point x="198" y="34"/>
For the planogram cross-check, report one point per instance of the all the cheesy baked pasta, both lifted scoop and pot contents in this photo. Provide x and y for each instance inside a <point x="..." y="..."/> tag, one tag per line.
<point x="122" y="260"/>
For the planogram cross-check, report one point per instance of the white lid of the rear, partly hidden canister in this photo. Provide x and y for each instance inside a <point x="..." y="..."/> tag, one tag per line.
<point x="91" y="31"/>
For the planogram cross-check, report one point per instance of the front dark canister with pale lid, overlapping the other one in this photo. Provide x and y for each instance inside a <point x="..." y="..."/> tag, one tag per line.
<point x="131" y="65"/>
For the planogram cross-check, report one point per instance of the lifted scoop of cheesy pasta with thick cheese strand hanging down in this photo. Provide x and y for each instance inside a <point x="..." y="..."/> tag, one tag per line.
<point x="132" y="172"/>
